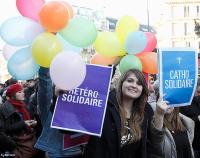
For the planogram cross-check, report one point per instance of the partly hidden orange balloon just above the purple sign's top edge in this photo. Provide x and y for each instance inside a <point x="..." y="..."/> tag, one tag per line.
<point x="102" y="60"/>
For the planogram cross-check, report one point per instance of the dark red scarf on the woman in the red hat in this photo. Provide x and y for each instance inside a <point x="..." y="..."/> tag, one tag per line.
<point x="21" y="107"/>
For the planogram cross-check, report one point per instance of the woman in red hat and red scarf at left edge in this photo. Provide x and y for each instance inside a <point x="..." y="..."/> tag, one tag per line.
<point x="17" y="129"/>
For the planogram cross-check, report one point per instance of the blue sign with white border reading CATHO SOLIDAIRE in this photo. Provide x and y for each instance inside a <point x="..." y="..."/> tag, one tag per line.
<point x="178" y="70"/>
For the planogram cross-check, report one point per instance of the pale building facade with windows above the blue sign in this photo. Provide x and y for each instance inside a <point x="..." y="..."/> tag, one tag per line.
<point x="181" y="18"/>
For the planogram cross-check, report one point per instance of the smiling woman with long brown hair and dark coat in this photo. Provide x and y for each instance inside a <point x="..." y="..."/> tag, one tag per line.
<point x="127" y="120"/>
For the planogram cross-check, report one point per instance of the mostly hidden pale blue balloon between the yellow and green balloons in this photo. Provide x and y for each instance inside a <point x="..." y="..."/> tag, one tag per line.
<point x="67" y="46"/>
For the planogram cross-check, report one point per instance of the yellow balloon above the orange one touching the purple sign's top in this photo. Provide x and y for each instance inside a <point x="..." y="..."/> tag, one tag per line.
<point x="107" y="44"/>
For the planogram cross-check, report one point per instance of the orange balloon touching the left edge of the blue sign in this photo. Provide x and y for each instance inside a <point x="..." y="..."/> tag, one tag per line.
<point x="149" y="62"/>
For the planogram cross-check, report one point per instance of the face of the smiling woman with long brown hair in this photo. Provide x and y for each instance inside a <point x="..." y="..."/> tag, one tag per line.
<point x="131" y="87"/>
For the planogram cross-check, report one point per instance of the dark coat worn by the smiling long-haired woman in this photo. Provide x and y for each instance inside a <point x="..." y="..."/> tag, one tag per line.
<point x="108" y="145"/>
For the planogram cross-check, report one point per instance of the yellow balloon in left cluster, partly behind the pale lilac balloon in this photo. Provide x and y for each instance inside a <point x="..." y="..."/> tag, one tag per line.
<point x="44" y="48"/>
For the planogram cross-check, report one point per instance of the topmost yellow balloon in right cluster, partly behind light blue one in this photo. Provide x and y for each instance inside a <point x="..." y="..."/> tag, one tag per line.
<point x="124" y="26"/>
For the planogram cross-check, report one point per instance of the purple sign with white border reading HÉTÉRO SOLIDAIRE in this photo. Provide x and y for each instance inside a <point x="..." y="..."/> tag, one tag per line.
<point x="83" y="108"/>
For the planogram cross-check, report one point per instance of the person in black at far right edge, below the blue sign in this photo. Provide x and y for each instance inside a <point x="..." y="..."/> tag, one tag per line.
<point x="193" y="112"/>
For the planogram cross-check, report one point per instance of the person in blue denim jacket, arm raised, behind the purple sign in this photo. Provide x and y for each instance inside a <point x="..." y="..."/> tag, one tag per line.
<point x="51" y="139"/>
